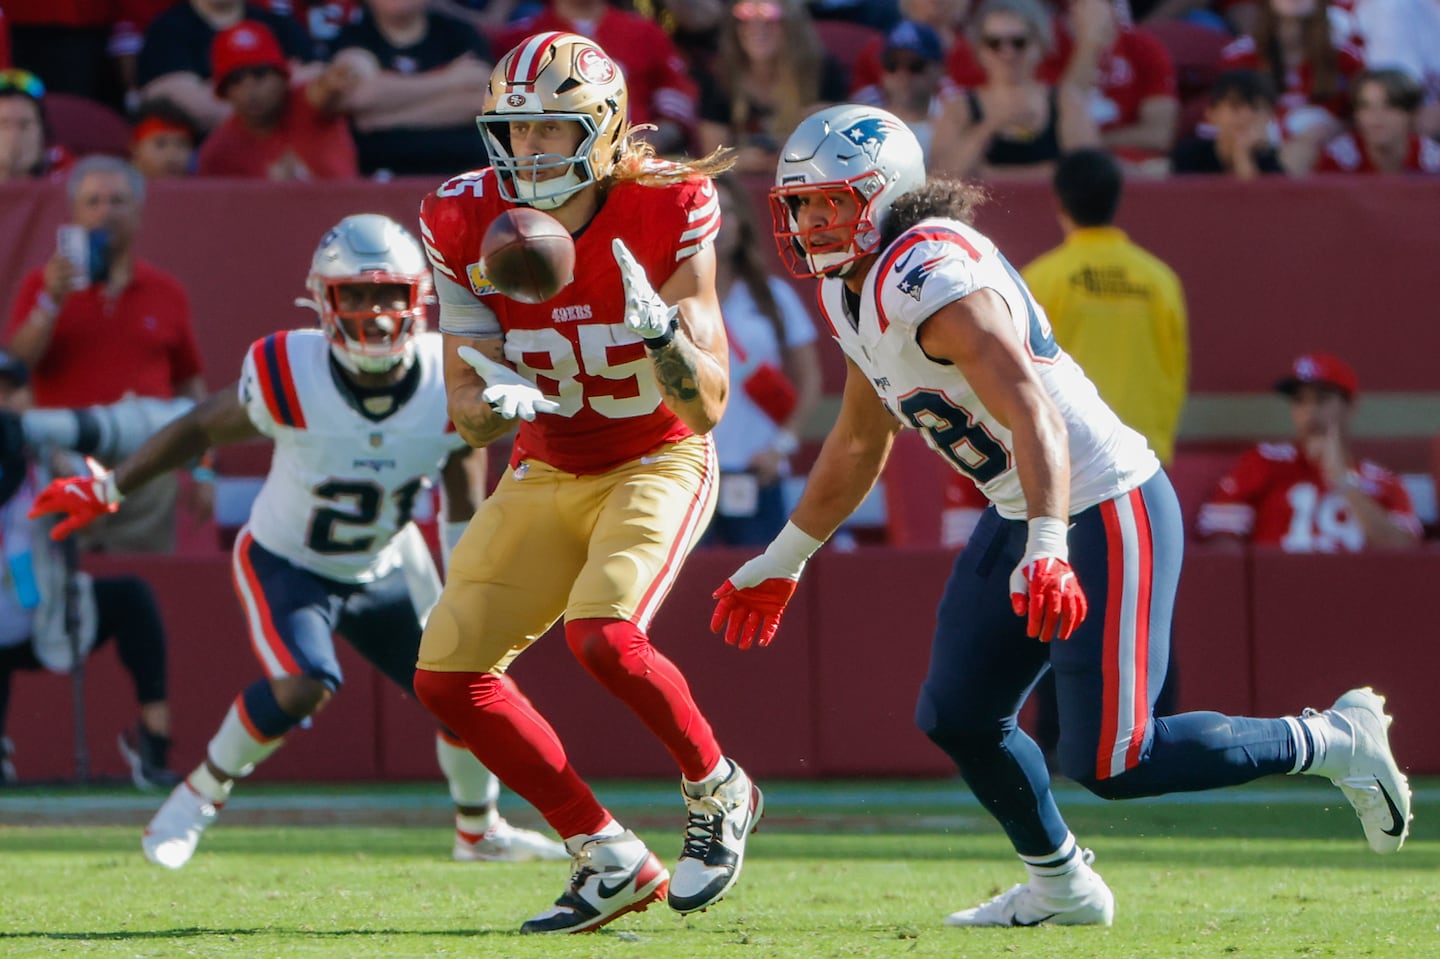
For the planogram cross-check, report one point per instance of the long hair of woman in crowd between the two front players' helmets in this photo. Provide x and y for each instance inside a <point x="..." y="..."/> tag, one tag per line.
<point x="800" y="70"/>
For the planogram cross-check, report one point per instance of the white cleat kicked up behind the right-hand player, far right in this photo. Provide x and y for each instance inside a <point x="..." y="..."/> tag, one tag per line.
<point x="1357" y="758"/>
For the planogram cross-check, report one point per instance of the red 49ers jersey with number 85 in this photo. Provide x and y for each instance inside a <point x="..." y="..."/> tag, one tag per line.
<point x="577" y="346"/>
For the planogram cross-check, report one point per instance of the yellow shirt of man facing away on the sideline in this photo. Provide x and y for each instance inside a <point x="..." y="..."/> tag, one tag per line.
<point x="1121" y="313"/>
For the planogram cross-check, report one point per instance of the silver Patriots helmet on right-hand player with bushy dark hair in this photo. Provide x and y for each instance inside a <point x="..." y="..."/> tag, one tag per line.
<point x="865" y="150"/>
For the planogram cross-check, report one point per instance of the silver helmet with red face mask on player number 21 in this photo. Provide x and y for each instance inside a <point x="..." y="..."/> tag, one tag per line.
<point x="369" y="248"/>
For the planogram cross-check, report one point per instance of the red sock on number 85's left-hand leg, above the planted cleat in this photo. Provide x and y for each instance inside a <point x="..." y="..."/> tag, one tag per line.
<point x="515" y="742"/>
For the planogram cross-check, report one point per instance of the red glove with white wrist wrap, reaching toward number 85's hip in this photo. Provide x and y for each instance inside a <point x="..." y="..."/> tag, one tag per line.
<point x="750" y="605"/>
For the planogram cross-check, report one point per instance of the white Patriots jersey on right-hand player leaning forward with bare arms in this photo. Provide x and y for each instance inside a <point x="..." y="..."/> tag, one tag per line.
<point x="928" y="267"/>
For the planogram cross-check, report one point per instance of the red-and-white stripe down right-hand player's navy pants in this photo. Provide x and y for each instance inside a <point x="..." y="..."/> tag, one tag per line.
<point x="1125" y="659"/>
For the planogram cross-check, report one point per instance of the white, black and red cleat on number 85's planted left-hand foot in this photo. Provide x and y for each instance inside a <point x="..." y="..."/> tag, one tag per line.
<point x="611" y="876"/>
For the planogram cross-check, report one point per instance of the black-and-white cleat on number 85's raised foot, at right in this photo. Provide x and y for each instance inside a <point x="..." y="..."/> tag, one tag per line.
<point x="722" y="814"/>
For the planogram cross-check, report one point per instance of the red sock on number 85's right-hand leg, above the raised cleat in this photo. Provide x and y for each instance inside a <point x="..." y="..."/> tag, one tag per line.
<point x="624" y="662"/>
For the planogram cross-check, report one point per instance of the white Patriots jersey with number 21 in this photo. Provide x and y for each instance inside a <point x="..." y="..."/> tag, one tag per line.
<point x="341" y="486"/>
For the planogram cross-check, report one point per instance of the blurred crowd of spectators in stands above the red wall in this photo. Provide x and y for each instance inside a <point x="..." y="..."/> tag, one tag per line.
<point x="993" y="89"/>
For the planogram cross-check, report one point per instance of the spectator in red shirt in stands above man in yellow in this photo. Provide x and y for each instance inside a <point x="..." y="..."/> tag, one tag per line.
<point x="1135" y="103"/>
